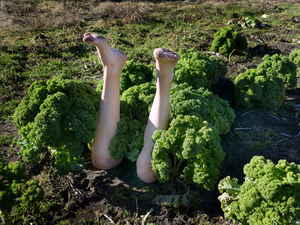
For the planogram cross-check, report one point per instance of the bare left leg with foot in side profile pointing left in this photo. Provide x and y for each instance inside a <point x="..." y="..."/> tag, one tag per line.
<point x="113" y="62"/>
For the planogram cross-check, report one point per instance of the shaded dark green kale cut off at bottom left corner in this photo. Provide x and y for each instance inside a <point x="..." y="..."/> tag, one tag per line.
<point x="16" y="186"/>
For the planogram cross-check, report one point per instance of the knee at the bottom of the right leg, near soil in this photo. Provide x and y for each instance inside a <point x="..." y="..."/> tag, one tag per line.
<point x="144" y="171"/>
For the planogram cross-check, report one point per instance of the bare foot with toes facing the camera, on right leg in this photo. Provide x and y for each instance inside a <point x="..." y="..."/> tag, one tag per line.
<point x="166" y="62"/>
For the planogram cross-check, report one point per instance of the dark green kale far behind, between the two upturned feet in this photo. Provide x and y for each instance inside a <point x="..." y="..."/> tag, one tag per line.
<point x="133" y="73"/>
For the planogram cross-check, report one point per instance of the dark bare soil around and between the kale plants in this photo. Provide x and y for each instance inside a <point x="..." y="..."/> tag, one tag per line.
<point x="98" y="196"/>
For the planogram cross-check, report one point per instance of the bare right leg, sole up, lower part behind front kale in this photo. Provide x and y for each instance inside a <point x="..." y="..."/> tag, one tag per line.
<point x="160" y="111"/>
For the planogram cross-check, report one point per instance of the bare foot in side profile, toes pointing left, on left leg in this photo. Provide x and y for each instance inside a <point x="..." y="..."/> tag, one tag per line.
<point x="110" y="57"/>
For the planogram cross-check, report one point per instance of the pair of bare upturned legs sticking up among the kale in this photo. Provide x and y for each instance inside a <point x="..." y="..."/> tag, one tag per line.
<point x="113" y="61"/>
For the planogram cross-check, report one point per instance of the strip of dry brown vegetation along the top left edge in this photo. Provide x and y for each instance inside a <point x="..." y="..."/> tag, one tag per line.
<point x="53" y="14"/>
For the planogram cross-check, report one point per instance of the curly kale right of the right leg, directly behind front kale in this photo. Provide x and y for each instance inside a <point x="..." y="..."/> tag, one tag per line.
<point x="203" y="104"/>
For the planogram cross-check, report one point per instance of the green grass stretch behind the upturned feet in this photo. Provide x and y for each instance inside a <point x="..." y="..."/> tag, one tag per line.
<point x="28" y="59"/>
